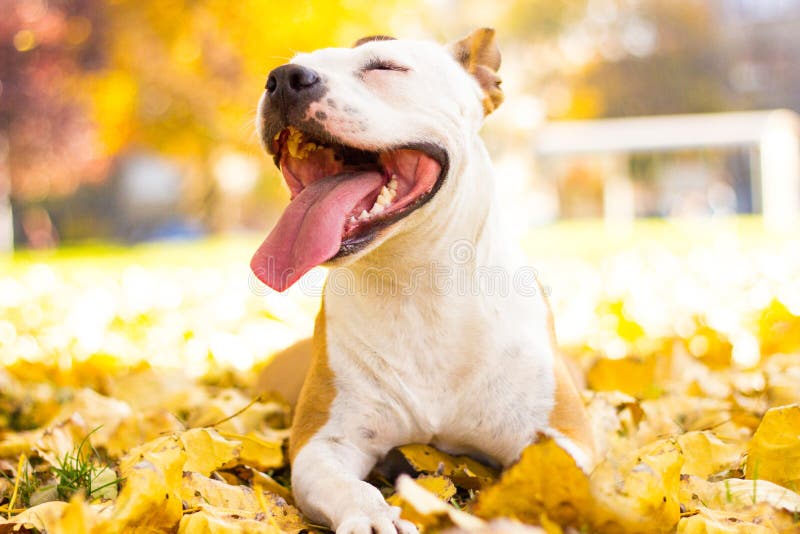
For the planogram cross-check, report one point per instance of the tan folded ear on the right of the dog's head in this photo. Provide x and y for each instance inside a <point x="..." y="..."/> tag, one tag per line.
<point x="479" y="55"/>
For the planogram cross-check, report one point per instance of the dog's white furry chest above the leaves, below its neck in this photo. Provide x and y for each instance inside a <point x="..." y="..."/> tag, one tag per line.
<point x="461" y="374"/>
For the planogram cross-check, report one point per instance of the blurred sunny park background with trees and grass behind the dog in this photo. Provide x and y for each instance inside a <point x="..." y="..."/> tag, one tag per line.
<point x="648" y="153"/>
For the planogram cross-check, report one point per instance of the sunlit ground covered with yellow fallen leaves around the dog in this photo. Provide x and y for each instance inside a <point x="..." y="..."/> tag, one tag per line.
<point x="128" y="400"/>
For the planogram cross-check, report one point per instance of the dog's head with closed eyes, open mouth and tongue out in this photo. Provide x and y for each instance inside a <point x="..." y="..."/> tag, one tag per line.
<point x="365" y="138"/>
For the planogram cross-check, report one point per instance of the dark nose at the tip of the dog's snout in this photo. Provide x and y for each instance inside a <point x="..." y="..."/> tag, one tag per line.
<point x="291" y="88"/>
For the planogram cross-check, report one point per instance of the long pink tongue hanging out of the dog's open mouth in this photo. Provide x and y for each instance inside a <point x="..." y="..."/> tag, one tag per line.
<point x="310" y="230"/>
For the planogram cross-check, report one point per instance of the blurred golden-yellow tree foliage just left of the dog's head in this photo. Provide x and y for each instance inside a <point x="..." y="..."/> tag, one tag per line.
<point x="183" y="77"/>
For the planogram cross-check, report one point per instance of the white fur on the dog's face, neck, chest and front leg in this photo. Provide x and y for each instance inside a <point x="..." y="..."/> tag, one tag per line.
<point x="468" y="370"/>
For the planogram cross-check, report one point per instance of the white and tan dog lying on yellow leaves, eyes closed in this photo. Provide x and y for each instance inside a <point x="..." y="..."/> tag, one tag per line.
<point x="392" y="188"/>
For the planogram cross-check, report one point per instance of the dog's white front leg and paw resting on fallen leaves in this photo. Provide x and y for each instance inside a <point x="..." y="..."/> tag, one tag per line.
<point x="327" y="481"/>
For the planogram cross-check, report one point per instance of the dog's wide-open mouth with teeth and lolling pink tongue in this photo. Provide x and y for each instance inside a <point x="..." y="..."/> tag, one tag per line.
<point x="341" y="197"/>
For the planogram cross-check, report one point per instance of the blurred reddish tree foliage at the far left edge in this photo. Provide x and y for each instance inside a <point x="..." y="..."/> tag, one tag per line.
<point x="46" y="140"/>
